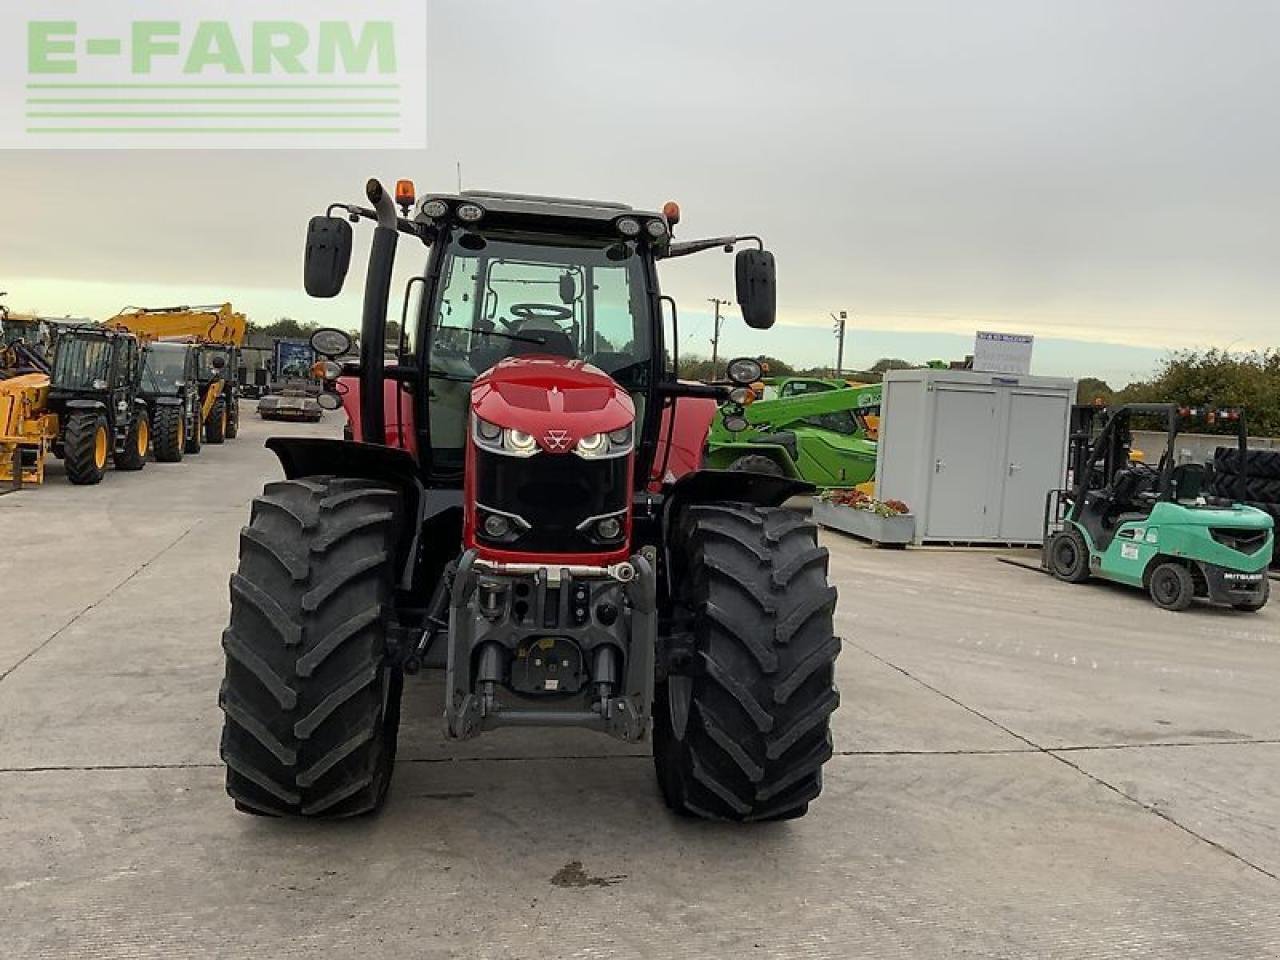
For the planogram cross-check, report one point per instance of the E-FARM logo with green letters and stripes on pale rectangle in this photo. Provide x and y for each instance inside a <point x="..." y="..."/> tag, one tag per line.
<point x="204" y="75"/>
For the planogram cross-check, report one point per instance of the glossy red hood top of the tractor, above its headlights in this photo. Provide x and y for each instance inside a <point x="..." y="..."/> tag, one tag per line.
<point x="556" y="400"/>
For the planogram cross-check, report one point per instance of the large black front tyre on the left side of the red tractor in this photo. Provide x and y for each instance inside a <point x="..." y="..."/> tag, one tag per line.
<point x="312" y="705"/>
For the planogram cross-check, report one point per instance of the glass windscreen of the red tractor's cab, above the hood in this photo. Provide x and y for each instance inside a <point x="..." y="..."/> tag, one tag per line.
<point x="584" y="299"/>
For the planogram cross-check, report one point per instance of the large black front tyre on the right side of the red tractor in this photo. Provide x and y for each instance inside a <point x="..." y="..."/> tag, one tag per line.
<point x="746" y="734"/>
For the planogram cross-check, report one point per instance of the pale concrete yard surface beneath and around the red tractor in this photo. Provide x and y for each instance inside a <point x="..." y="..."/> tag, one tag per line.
<point x="1025" y="770"/>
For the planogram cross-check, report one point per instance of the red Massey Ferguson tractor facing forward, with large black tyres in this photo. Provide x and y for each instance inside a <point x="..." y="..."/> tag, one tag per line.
<point x="520" y="504"/>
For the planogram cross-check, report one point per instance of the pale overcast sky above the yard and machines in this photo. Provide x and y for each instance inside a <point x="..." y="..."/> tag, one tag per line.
<point x="1096" y="173"/>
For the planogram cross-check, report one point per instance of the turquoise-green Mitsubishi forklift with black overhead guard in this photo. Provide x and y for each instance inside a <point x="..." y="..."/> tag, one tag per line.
<point x="1155" y="527"/>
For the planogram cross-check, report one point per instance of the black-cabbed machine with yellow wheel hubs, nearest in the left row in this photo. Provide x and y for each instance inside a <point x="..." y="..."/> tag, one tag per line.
<point x="94" y="391"/>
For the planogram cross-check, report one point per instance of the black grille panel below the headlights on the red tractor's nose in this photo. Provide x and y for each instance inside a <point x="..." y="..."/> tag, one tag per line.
<point x="552" y="493"/>
